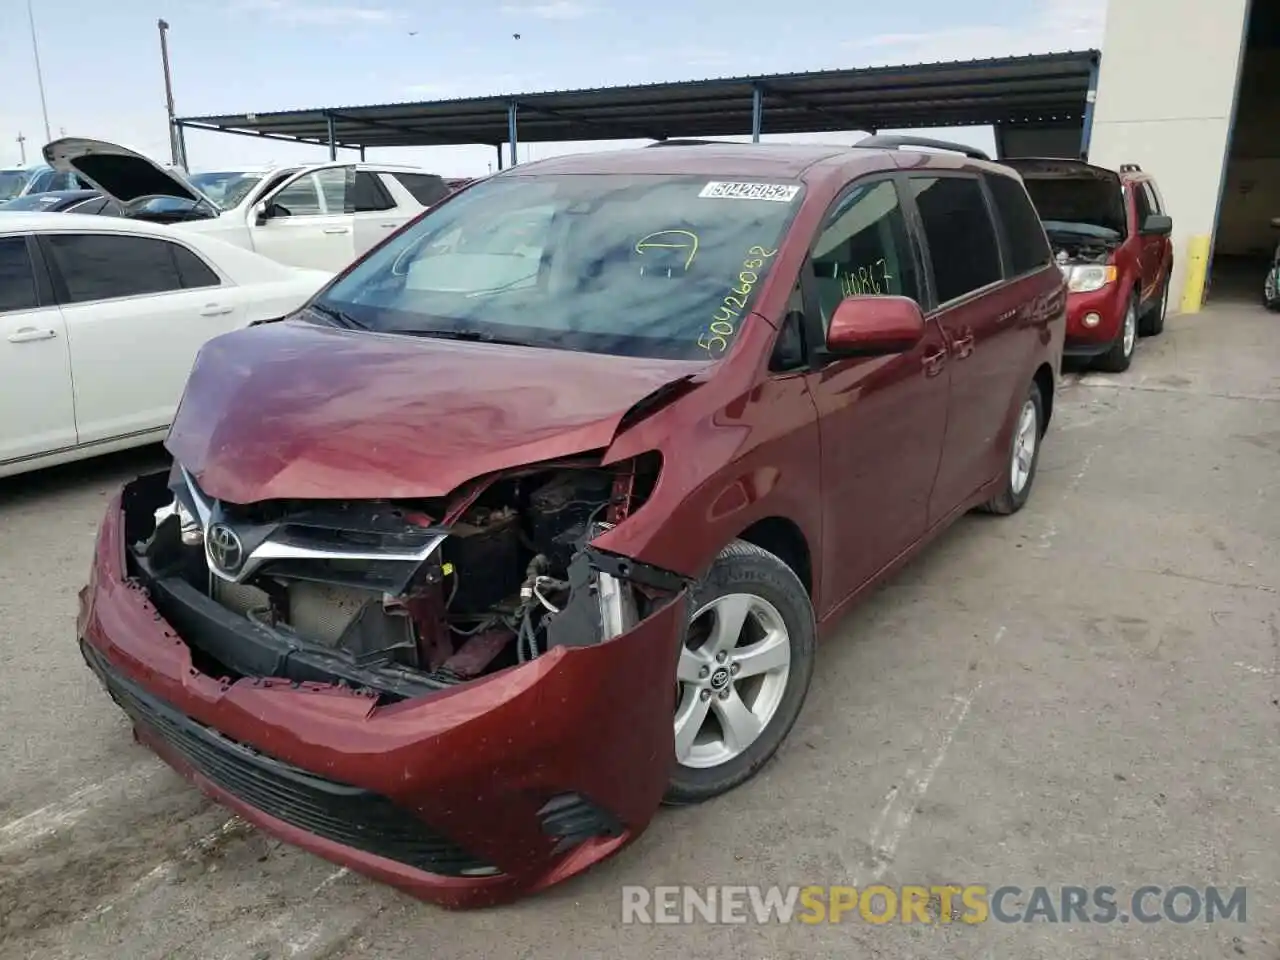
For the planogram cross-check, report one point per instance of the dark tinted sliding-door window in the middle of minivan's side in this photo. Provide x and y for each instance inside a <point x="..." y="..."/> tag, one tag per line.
<point x="961" y="235"/>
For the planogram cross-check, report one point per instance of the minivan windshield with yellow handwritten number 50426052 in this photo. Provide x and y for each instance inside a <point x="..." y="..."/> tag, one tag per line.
<point x="633" y="266"/>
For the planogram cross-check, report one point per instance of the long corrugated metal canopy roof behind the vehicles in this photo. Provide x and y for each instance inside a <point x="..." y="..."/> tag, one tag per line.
<point x="1041" y="89"/>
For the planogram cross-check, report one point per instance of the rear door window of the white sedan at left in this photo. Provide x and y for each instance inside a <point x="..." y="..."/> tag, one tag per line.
<point x="103" y="266"/>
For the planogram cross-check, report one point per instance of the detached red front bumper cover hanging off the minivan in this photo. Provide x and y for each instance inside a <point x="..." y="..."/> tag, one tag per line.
<point x="469" y="797"/>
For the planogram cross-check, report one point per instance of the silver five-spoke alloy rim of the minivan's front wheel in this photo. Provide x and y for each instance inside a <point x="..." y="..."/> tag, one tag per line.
<point x="732" y="679"/>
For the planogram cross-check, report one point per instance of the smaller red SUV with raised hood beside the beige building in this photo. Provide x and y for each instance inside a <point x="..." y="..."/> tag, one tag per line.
<point x="1110" y="236"/>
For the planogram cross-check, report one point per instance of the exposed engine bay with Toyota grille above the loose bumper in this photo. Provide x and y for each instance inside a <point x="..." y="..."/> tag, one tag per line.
<point x="399" y="598"/>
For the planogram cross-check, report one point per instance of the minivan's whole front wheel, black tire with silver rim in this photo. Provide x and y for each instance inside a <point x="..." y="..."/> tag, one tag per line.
<point x="744" y="673"/>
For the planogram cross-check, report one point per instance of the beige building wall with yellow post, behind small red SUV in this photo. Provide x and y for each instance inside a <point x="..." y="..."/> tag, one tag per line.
<point x="1165" y="99"/>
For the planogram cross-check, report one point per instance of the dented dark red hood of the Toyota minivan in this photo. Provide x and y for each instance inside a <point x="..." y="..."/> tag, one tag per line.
<point x="295" y="410"/>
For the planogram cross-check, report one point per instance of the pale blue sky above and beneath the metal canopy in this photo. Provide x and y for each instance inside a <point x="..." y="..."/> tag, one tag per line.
<point x="103" y="77"/>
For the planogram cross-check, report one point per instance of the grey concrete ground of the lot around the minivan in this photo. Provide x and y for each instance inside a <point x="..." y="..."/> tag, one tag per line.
<point x="1087" y="693"/>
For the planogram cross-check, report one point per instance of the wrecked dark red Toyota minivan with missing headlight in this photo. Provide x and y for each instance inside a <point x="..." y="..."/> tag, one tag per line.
<point x="533" y="518"/>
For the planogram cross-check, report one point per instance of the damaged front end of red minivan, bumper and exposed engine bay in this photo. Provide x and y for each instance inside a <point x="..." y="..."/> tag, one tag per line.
<point x="428" y="693"/>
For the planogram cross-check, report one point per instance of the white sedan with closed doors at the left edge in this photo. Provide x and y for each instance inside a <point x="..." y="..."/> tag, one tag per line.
<point x="100" y="322"/>
